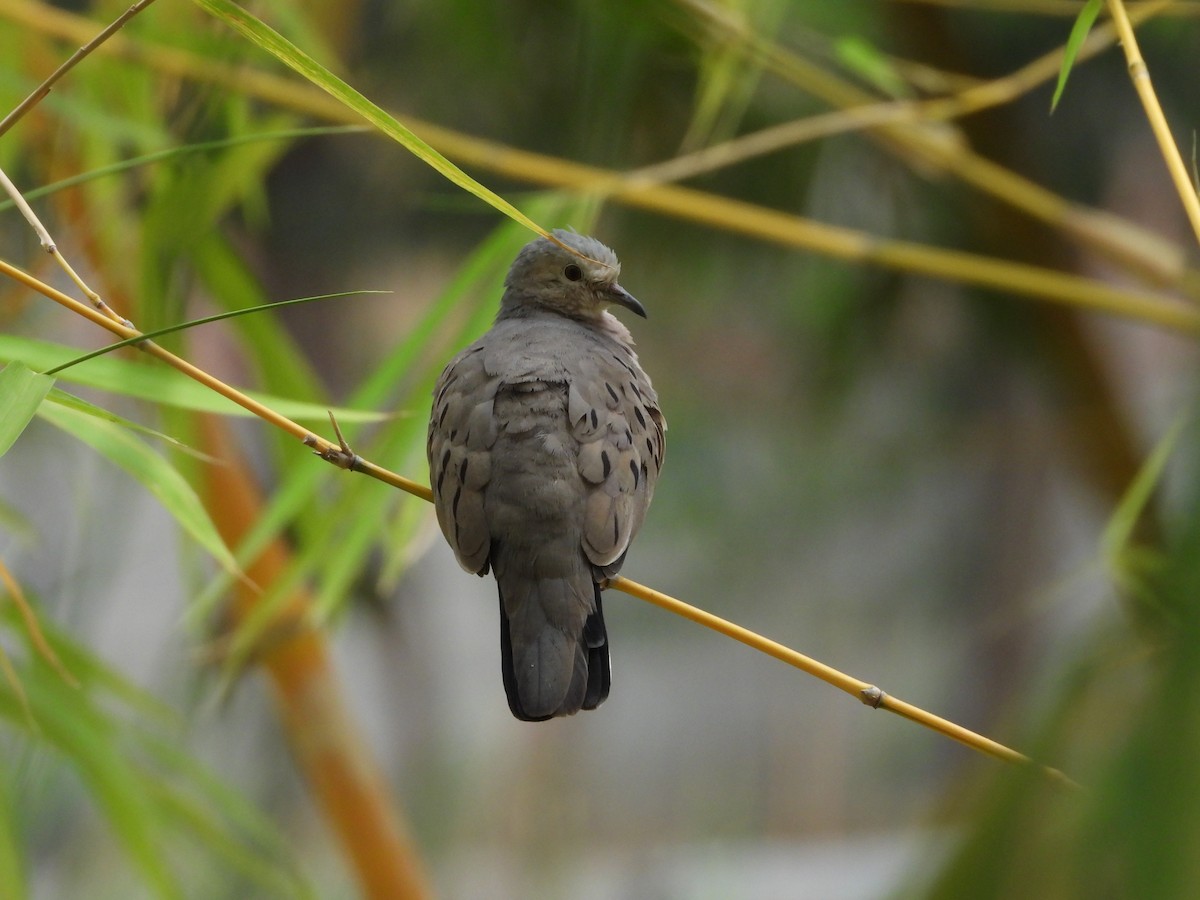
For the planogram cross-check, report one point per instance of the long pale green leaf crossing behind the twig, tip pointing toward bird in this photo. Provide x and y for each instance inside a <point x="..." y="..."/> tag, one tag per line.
<point x="159" y="385"/>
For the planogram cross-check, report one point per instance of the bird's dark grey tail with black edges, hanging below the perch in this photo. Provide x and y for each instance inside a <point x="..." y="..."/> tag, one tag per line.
<point x="551" y="668"/>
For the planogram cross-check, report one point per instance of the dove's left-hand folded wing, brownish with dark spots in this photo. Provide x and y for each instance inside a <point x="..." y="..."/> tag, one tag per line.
<point x="463" y="430"/>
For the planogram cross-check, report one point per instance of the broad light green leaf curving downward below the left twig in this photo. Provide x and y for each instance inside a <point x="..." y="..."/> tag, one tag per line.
<point x="158" y="476"/>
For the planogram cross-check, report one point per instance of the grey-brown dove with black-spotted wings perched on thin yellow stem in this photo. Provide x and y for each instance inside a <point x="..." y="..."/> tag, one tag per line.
<point x="545" y="445"/>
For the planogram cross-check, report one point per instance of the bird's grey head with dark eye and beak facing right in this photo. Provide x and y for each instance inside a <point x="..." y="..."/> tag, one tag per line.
<point x="578" y="280"/>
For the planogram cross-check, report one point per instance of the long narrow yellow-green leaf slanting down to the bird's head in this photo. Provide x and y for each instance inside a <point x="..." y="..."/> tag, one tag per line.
<point x="269" y="40"/>
